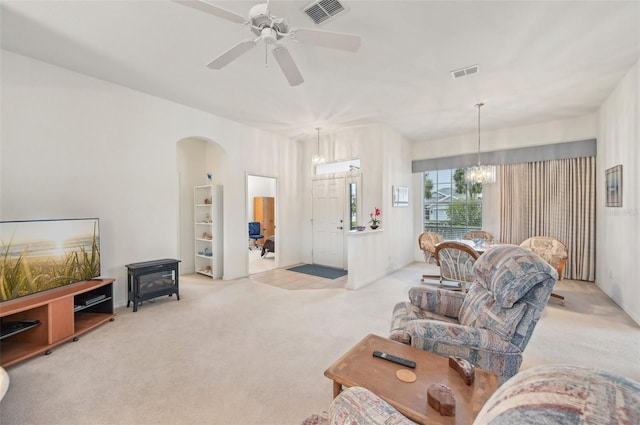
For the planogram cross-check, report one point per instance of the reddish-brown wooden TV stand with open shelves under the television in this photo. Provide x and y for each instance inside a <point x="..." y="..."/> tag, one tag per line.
<point x="64" y="314"/>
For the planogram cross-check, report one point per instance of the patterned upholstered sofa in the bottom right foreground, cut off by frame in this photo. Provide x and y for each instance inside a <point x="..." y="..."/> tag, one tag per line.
<point x="542" y="395"/>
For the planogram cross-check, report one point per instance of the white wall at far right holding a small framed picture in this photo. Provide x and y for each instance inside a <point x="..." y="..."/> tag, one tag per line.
<point x="618" y="229"/>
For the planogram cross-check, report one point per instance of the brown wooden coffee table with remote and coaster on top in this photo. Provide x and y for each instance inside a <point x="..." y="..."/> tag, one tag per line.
<point x="359" y="368"/>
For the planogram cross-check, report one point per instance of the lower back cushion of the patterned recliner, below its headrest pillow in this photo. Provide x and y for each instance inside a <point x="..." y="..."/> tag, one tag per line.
<point x="481" y="310"/>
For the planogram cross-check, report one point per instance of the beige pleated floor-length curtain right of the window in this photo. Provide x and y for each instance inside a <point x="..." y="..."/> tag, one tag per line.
<point x="552" y="198"/>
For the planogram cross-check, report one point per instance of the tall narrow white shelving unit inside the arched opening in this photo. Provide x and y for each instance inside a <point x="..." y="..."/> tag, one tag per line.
<point x="207" y="218"/>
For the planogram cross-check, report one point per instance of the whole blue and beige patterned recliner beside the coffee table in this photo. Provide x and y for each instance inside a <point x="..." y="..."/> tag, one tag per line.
<point x="489" y="326"/>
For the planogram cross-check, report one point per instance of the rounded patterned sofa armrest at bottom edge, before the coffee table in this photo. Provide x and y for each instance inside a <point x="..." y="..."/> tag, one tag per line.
<point x="357" y="405"/>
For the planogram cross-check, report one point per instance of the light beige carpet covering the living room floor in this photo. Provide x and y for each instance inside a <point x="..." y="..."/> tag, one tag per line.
<point x="247" y="352"/>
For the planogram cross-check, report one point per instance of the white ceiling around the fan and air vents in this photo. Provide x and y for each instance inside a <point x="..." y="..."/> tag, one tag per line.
<point x="539" y="60"/>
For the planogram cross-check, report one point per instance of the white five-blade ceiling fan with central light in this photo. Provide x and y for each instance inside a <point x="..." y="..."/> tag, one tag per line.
<point x="270" y="30"/>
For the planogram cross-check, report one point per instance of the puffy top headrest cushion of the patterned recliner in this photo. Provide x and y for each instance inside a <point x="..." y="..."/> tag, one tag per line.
<point x="508" y="272"/>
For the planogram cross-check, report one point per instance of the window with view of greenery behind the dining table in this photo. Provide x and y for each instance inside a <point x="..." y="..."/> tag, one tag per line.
<point x="451" y="206"/>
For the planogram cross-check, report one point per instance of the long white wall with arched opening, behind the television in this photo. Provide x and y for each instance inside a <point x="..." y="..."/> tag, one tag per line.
<point x="75" y="146"/>
